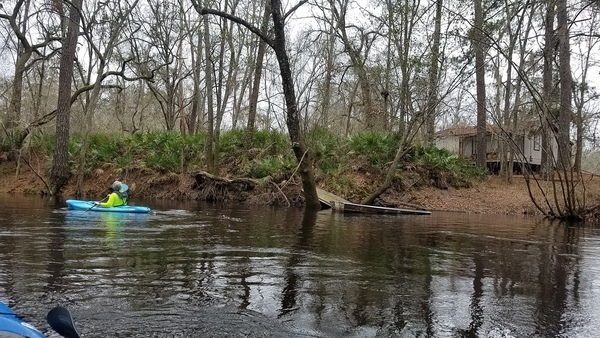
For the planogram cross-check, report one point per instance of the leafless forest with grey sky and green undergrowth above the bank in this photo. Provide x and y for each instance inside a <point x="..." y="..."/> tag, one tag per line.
<point x="345" y="80"/>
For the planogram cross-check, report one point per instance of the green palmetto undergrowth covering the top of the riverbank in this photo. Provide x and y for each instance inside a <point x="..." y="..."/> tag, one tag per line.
<point x="336" y="157"/>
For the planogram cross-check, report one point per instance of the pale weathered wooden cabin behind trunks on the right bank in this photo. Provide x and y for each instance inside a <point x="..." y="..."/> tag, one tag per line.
<point x="463" y="141"/>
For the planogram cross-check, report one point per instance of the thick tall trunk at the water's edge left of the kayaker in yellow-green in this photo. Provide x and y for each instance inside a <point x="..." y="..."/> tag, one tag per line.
<point x="60" y="172"/>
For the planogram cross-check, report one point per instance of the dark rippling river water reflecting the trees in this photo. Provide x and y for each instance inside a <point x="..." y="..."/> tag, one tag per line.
<point x="200" y="270"/>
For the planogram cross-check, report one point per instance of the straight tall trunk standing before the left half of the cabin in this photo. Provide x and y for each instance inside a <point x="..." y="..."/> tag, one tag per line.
<point x="480" y="84"/>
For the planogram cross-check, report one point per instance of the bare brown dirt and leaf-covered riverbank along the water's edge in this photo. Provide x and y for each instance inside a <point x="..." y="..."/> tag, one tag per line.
<point x="491" y="196"/>
